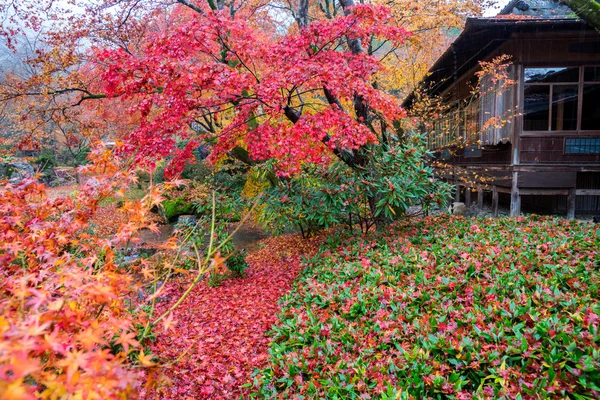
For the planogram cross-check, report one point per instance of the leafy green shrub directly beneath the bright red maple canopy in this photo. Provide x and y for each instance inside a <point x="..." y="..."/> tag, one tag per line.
<point x="397" y="178"/>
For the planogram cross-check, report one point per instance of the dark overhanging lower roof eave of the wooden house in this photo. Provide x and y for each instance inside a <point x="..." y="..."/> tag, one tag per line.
<point x="479" y="38"/>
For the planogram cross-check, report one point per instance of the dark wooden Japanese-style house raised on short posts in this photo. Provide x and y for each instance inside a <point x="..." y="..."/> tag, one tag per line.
<point x="547" y="156"/>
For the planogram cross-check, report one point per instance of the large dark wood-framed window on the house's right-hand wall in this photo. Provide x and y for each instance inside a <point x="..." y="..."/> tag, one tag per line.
<point x="561" y="99"/>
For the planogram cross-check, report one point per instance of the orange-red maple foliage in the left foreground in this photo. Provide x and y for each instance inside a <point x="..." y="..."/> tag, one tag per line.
<point x="64" y="325"/>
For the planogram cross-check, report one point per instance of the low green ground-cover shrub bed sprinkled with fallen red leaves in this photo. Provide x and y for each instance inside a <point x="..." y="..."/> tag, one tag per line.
<point x="444" y="308"/>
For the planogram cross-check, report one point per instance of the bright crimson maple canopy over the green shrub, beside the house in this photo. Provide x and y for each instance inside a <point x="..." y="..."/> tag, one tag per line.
<point x="296" y="98"/>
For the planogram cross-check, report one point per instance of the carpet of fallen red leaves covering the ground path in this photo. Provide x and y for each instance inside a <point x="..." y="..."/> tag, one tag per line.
<point x="221" y="331"/>
